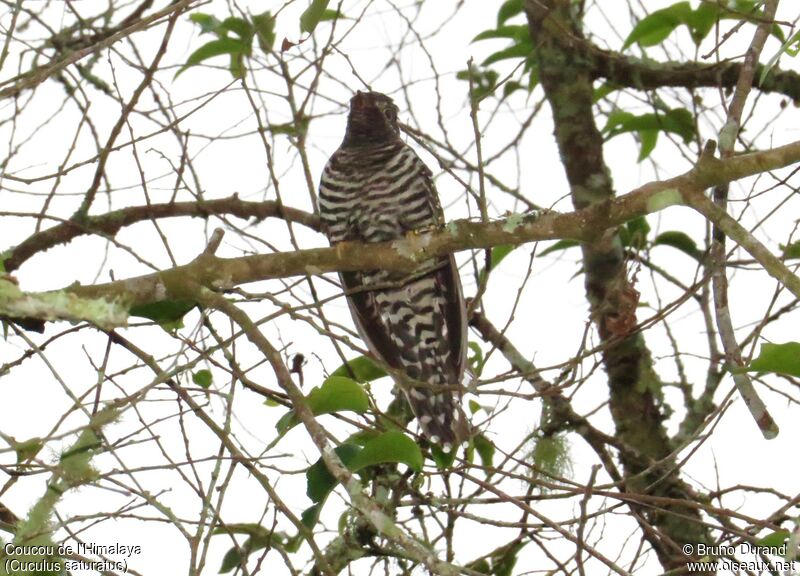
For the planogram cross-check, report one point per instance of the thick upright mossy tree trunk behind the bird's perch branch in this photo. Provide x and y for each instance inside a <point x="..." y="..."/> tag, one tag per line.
<point x="634" y="386"/>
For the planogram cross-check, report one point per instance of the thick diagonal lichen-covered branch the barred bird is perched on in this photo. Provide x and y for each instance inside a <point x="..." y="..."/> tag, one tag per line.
<point x="408" y="254"/>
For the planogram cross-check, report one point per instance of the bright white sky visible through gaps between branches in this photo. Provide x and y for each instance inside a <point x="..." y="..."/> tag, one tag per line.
<point x="550" y="320"/>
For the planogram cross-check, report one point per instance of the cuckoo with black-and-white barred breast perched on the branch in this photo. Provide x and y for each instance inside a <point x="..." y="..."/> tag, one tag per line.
<point x="374" y="188"/>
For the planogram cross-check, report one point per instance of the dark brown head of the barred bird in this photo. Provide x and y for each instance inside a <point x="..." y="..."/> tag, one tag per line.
<point x="372" y="120"/>
